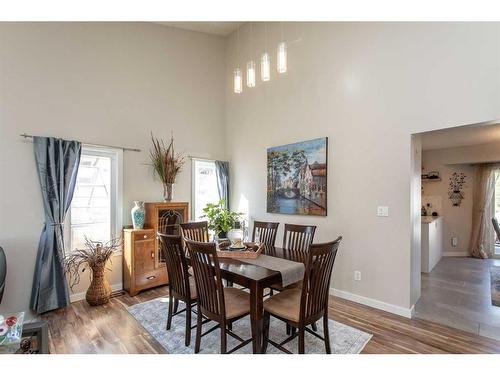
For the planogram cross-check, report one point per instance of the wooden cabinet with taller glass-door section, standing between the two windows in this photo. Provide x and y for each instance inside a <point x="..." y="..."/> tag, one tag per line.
<point x="143" y="263"/>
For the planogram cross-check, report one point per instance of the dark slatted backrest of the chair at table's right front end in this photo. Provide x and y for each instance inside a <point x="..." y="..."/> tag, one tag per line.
<point x="316" y="285"/>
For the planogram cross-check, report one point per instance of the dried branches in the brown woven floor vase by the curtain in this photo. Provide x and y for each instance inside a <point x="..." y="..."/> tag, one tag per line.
<point x="94" y="255"/>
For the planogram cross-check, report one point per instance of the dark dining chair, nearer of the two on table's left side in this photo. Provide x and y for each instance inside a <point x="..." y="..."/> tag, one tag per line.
<point x="223" y="305"/>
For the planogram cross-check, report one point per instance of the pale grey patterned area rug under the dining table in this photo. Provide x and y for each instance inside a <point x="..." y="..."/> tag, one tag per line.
<point x="152" y="315"/>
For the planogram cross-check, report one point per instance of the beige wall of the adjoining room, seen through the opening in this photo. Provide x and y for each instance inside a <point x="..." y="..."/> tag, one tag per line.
<point x="457" y="221"/>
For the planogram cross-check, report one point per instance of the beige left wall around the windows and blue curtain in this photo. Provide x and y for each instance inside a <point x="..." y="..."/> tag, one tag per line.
<point x="110" y="83"/>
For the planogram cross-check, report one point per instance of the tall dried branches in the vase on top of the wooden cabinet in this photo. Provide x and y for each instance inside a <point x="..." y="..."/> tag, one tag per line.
<point x="166" y="163"/>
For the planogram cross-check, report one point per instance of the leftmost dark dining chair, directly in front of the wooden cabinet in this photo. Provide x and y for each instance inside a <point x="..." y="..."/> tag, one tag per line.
<point x="181" y="285"/>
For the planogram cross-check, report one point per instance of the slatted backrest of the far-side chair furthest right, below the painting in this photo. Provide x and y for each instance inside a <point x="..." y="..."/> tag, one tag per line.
<point x="297" y="239"/>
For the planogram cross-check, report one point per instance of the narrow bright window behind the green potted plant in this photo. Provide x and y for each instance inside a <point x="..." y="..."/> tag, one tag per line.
<point x="204" y="189"/>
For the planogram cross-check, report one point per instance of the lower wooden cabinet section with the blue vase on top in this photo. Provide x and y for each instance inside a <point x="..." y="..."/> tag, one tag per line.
<point x="141" y="268"/>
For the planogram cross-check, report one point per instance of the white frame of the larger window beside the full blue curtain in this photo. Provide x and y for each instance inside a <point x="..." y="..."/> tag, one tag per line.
<point x="116" y="156"/>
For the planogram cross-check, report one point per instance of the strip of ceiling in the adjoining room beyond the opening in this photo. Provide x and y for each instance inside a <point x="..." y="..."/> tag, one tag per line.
<point x="461" y="136"/>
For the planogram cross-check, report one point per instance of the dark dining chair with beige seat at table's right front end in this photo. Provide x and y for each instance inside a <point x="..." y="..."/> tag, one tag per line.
<point x="302" y="307"/>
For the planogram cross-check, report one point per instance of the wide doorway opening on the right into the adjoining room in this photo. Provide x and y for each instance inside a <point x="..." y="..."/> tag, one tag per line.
<point x="454" y="288"/>
